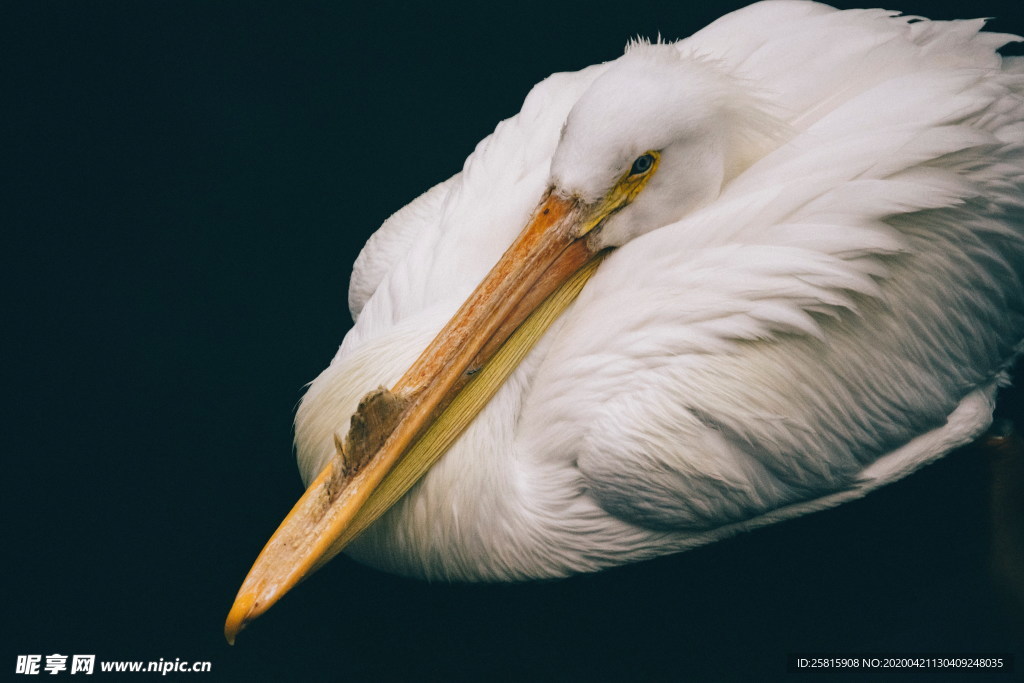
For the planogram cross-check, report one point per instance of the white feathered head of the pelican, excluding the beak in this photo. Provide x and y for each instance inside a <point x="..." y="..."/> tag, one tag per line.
<point x="700" y="127"/>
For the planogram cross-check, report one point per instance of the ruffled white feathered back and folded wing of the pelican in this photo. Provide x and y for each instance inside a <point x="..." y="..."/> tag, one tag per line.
<point x="841" y="297"/>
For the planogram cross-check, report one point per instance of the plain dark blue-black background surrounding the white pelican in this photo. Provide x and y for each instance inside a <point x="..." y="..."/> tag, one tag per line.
<point x="189" y="185"/>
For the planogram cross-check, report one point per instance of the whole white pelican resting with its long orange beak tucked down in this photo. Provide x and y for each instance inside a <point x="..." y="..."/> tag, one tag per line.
<point x="703" y="288"/>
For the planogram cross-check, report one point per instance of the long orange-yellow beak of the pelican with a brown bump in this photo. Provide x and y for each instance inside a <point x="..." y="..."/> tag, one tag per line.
<point x="552" y="250"/>
